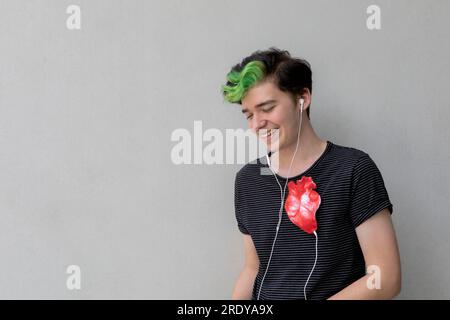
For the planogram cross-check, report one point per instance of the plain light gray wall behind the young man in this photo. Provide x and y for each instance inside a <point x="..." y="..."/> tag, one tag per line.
<point x="86" y="117"/>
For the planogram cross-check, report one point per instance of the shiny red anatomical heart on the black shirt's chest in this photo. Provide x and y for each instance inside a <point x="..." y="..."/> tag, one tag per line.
<point x="302" y="203"/>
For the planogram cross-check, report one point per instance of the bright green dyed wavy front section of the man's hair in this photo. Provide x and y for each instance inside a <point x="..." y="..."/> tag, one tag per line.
<point x="240" y="82"/>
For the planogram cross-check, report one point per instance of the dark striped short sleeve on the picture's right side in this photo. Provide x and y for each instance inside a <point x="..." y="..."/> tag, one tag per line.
<point x="369" y="195"/>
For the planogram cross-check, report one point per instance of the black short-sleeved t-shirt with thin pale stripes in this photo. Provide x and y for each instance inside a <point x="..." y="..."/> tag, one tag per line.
<point x="351" y="189"/>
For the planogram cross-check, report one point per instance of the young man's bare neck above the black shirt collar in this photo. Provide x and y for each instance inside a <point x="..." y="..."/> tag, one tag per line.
<point x="309" y="149"/>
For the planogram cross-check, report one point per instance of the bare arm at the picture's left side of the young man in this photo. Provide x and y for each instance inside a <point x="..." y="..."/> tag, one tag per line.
<point x="244" y="284"/>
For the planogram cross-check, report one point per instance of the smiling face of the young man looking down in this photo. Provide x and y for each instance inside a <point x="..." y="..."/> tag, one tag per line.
<point x="276" y="110"/>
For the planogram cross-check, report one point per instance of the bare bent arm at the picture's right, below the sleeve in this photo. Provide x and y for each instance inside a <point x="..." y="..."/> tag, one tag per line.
<point x="379" y="246"/>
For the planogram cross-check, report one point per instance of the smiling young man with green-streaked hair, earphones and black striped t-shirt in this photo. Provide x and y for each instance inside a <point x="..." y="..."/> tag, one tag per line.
<point x="354" y="231"/>
